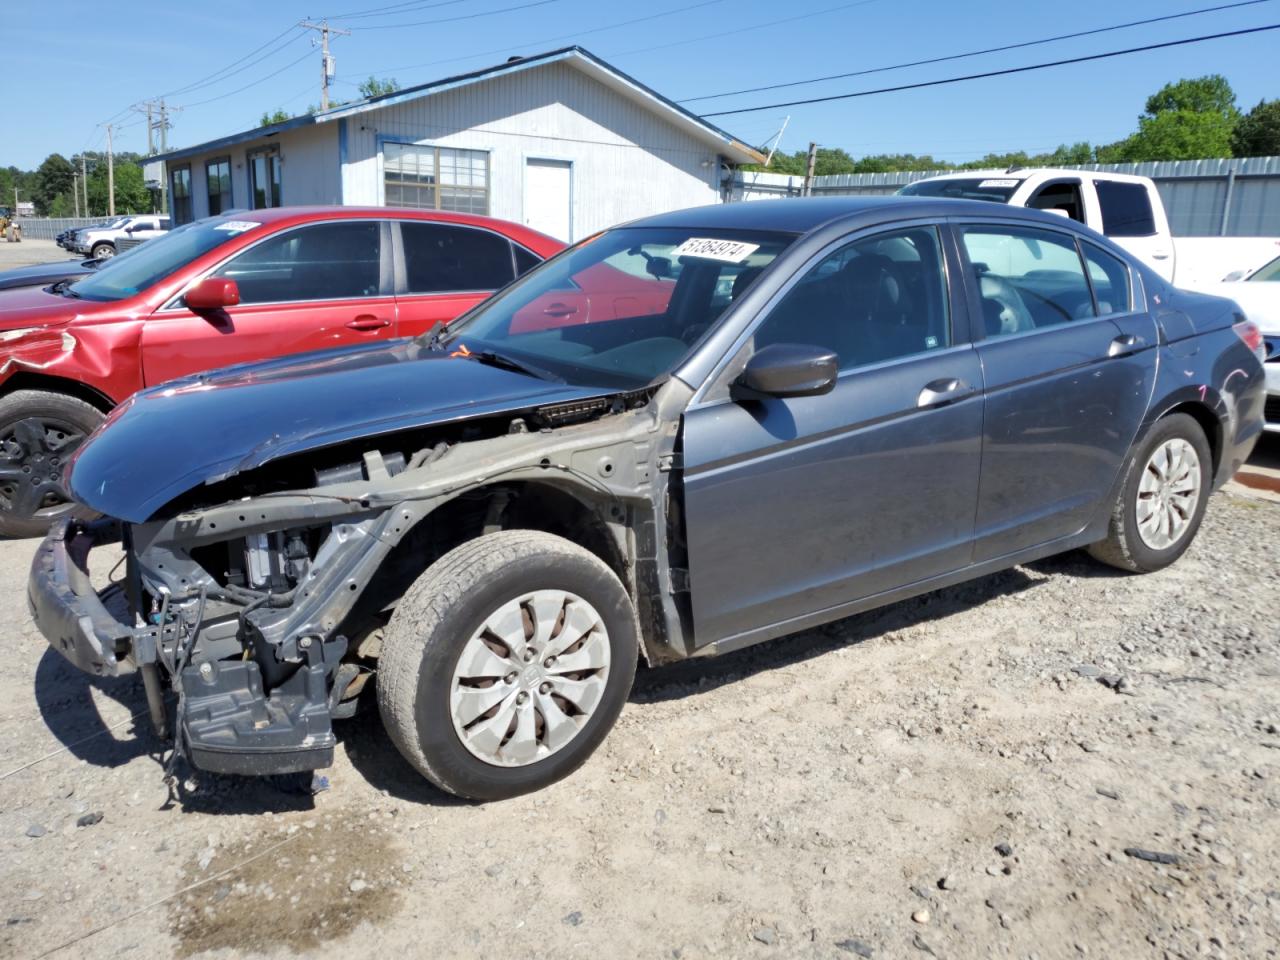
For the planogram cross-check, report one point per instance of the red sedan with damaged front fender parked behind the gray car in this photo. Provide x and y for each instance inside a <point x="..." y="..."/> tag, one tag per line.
<point x="246" y="286"/>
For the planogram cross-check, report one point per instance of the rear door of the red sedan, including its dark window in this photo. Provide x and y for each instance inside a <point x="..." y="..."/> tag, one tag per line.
<point x="446" y="269"/>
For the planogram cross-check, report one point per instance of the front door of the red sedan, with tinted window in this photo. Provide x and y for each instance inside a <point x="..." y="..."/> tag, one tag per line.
<point x="313" y="287"/>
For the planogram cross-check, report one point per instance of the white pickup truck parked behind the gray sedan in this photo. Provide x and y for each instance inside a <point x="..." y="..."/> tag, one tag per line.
<point x="1130" y="212"/>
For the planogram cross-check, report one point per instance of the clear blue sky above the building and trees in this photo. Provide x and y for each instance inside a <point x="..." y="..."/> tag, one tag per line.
<point x="74" y="65"/>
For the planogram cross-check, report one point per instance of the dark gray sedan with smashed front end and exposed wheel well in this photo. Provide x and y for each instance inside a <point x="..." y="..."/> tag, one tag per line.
<point x="796" y="412"/>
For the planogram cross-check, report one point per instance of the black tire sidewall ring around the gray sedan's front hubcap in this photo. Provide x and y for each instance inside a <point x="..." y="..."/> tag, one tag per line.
<point x="470" y="776"/>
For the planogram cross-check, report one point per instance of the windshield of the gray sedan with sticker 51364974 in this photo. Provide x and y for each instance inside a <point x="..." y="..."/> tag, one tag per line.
<point x="621" y="309"/>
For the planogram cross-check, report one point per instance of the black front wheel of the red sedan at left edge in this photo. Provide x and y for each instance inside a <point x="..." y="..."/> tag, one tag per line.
<point x="39" y="432"/>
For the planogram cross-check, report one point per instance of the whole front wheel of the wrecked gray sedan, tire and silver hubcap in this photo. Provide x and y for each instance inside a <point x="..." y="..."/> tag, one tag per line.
<point x="508" y="664"/>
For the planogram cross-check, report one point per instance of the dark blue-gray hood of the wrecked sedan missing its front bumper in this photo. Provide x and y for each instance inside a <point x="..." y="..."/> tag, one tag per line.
<point x="202" y="429"/>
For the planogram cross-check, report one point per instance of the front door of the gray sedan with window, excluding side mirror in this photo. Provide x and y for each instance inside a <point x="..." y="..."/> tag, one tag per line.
<point x="802" y="505"/>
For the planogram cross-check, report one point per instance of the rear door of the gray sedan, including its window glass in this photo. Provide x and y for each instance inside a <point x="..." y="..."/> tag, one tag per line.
<point x="1068" y="367"/>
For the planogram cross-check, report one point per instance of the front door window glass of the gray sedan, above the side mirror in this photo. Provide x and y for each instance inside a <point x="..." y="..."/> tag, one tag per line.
<point x="874" y="300"/>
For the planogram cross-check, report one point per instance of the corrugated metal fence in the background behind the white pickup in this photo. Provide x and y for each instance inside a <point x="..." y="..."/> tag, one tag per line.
<point x="1203" y="198"/>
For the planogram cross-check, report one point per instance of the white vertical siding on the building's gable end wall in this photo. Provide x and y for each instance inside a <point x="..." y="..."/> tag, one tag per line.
<point x="627" y="161"/>
